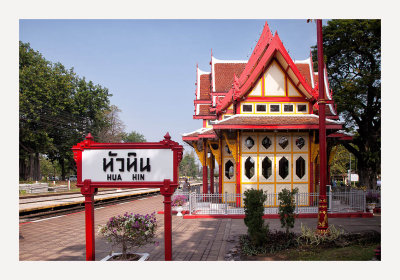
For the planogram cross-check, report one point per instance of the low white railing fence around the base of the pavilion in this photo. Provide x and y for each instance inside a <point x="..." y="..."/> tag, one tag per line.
<point x="231" y="204"/>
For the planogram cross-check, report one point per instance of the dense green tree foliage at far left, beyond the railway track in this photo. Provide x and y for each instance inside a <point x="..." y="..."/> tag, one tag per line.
<point x="56" y="110"/>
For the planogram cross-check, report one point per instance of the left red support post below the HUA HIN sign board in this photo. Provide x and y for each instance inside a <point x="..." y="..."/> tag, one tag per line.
<point x="88" y="192"/>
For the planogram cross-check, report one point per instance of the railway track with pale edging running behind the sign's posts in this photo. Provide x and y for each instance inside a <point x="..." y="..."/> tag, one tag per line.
<point x="102" y="200"/>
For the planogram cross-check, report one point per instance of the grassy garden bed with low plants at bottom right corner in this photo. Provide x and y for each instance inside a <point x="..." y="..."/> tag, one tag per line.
<point x="309" y="246"/>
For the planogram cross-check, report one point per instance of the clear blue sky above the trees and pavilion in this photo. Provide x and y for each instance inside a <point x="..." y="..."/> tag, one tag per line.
<point x="150" y="65"/>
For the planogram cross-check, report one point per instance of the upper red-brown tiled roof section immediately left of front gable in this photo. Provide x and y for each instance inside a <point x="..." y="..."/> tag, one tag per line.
<point x="224" y="75"/>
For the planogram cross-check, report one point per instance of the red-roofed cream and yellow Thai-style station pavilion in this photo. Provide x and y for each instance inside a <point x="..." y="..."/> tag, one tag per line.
<point x="260" y="121"/>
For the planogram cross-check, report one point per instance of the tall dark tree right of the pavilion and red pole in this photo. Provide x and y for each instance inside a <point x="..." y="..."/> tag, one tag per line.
<point x="352" y="49"/>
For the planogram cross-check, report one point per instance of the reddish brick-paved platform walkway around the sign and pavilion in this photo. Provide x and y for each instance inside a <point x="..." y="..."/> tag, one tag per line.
<point x="63" y="238"/>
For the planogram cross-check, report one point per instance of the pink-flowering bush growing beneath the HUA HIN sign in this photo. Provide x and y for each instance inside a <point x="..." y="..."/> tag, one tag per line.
<point x="130" y="231"/>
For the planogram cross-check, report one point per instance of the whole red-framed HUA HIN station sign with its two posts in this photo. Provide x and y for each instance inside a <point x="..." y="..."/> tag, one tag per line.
<point x="127" y="165"/>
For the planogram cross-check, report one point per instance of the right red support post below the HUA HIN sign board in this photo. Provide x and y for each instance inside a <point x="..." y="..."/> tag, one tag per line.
<point x="167" y="220"/>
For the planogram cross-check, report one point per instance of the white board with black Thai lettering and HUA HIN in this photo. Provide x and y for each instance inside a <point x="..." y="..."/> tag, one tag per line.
<point x="127" y="165"/>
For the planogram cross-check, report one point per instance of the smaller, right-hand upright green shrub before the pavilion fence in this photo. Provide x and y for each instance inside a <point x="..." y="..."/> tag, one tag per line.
<point x="286" y="208"/>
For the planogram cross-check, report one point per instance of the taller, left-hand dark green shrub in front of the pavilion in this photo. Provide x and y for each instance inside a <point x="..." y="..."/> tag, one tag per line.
<point x="254" y="211"/>
